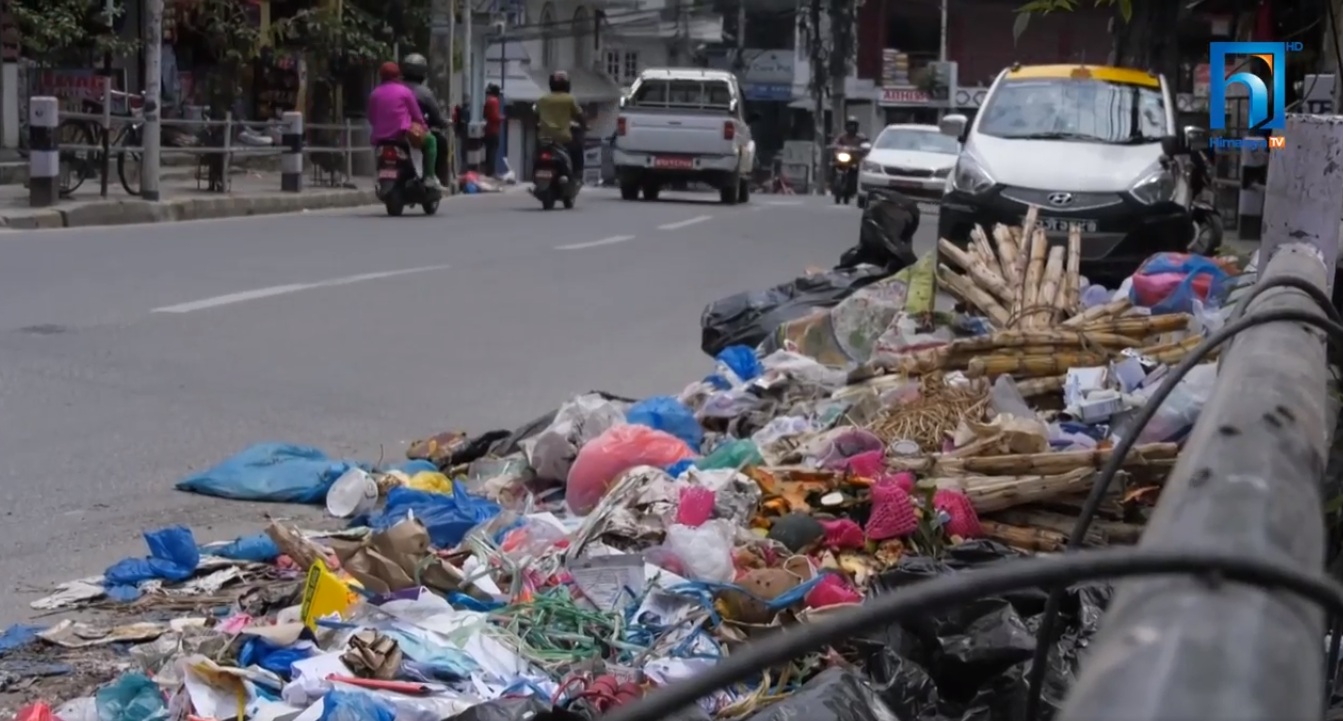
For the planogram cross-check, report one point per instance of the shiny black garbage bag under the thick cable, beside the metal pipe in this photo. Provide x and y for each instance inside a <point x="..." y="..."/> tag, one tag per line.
<point x="972" y="661"/>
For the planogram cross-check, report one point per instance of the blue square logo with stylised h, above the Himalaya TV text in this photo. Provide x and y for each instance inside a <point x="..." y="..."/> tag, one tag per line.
<point x="1262" y="68"/>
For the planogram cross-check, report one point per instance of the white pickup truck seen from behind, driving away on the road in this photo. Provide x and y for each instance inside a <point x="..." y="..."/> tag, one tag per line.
<point x="684" y="126"/>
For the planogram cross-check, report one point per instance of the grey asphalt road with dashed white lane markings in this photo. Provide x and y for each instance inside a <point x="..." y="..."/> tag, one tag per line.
<point x="132" y="356"/>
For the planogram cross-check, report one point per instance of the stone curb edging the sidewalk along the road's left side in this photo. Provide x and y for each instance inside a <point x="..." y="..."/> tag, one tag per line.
<point x="126" y="213"/>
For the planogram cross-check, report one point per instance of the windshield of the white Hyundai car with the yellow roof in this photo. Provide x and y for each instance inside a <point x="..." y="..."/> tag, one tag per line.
<point x="1075" y="109"/>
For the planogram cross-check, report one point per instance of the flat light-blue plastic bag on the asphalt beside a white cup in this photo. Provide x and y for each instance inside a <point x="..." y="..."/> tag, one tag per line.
<point x="271" y="472"/>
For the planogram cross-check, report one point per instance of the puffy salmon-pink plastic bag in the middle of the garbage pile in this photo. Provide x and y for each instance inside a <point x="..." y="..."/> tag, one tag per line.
<point x="617" y="450"/>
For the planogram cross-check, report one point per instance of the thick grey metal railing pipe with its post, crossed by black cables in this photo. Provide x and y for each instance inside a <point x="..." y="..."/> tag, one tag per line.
<point x="1247" y="484"/>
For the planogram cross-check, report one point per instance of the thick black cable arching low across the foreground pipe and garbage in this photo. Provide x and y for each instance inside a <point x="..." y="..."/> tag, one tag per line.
<point x="938" y="594"/>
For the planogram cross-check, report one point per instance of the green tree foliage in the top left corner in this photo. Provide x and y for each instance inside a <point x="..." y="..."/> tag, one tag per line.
<point x="68" y="32"/>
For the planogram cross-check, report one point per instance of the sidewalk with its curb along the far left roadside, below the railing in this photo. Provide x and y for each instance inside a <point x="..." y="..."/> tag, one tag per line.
<point x="252" y="194"/>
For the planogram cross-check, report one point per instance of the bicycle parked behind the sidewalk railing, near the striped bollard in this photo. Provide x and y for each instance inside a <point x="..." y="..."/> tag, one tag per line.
<point x="81" y="164"/>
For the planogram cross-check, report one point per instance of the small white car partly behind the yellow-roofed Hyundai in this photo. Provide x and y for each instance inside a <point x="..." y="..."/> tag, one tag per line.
<point x="913" y="159"/>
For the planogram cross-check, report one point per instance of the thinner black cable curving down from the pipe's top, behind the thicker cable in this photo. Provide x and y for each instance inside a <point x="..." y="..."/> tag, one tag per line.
<point x="1121" y="452"/>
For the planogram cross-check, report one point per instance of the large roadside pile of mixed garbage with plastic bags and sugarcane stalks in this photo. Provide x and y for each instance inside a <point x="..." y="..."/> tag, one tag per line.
<point x="878" y="437"/>
